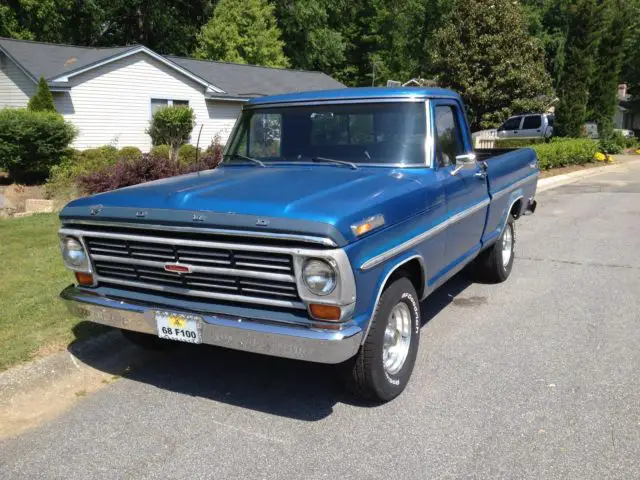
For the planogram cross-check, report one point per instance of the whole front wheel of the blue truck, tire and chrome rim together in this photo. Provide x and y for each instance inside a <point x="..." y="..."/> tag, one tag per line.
<point x="383" y="366"/>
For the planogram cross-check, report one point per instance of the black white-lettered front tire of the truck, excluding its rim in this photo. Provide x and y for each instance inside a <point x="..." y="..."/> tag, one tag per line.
<point x="364" y="375"/>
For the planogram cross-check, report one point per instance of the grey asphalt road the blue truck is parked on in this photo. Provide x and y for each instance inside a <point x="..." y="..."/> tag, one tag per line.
<point x="535" y="378"/>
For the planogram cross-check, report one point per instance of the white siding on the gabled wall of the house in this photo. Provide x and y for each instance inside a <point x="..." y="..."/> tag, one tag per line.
<point x="112" y="104"/>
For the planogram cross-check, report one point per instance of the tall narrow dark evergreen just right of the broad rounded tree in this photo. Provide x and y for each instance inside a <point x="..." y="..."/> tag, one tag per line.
<point x="581" y="48"/>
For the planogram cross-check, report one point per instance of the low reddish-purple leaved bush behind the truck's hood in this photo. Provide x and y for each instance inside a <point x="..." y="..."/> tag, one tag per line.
<point x="144" y="168"/>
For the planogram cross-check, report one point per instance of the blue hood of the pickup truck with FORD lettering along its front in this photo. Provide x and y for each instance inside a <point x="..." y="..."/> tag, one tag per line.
<point x="313" y="200"/>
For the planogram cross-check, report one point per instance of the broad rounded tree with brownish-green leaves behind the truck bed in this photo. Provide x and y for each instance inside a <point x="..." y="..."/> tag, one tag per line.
<point x="488" y="56"/>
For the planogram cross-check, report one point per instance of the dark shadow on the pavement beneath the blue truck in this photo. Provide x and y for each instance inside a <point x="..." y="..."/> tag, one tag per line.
<point x="288" y="388"/>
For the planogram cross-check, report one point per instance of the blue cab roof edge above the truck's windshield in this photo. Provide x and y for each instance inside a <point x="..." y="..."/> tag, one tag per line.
<point x="362" y="93"/>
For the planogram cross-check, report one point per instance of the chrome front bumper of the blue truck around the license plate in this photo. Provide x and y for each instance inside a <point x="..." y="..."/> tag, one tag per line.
<point x="238" y="333"/>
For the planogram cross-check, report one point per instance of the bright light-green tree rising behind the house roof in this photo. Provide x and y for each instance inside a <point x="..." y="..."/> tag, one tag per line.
<point x="242" y="31"/>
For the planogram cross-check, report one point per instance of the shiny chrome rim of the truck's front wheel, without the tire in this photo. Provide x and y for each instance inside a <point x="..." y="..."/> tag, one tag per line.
<point x="397" y="338"/>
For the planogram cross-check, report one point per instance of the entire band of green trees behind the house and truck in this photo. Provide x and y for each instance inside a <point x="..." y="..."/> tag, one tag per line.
<point x="367" y="42"/>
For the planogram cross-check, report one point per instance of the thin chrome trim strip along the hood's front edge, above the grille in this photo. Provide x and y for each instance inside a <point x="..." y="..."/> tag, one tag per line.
<point x="327" y="242"/>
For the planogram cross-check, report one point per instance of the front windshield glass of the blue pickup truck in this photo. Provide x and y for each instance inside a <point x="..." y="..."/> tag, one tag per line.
<point x="381" y="133"/>
